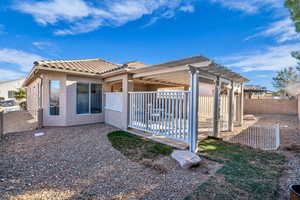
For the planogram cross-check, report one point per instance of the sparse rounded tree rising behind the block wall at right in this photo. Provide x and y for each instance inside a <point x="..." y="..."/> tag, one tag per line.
<point x="284" y="78"/>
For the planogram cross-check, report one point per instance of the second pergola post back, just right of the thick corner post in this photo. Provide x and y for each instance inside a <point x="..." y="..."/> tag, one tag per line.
<point x="217" y="108"/>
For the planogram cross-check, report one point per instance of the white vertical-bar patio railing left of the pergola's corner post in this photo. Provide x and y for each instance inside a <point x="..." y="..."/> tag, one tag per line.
<point x="163" y="113"/>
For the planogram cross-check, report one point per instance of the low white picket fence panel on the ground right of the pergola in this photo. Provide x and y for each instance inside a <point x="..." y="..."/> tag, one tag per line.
<point x="261" y="137"/>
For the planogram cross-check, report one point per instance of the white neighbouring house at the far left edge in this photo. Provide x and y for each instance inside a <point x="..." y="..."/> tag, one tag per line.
<point x="8" y="88"/>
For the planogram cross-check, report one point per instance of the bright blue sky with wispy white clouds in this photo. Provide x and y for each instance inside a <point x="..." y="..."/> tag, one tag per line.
<point x="252" y="37"/>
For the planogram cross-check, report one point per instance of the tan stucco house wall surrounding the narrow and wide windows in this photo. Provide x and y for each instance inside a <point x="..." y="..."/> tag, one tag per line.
<point x="67" y="101"/>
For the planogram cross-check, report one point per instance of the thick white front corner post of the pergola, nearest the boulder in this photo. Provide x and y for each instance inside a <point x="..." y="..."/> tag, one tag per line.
<point x="193" y="110"/>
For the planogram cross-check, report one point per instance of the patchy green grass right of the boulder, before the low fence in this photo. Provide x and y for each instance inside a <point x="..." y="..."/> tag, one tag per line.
<point x="246" y="174"/>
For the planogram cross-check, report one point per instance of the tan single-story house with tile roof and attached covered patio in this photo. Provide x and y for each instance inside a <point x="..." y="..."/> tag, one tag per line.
<point x="176" y="99"/>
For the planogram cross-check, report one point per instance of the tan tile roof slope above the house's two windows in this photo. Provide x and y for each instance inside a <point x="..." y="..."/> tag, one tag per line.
<point x="92" y="66"/>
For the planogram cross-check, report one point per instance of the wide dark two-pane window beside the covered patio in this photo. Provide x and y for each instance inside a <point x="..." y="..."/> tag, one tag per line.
<point x="89" y="98"/>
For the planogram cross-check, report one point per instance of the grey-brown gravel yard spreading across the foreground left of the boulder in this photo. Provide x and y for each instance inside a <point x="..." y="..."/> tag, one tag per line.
<point x="79" y="163"/>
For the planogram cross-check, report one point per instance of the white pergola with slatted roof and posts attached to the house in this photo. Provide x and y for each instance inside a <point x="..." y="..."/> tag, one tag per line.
<point x="188" y="73"/>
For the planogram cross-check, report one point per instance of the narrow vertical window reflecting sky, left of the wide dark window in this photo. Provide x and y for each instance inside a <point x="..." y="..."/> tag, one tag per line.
<point x="54" y="91"/>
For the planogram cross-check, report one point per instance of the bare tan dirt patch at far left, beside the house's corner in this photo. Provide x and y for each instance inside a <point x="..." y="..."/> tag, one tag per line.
<point x="18" y="121"/>
